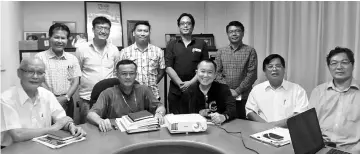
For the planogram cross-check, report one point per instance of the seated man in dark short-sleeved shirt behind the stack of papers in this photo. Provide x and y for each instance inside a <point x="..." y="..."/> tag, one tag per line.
<point x="124" y="98"/>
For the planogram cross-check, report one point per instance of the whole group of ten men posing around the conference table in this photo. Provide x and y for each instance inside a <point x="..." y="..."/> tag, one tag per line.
<point x="220" y="90"/>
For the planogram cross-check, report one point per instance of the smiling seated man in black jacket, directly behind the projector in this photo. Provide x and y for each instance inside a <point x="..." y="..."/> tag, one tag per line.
<point x="209" y="98"/>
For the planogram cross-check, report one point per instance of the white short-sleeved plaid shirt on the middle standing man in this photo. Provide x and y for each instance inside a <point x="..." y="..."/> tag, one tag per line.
<point x="148" y="62"/>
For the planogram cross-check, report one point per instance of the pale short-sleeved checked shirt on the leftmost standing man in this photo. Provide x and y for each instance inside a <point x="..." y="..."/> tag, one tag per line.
<point x="59" y="70"/>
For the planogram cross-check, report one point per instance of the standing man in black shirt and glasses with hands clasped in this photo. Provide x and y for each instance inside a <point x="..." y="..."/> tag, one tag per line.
<point x="181" y="59"/>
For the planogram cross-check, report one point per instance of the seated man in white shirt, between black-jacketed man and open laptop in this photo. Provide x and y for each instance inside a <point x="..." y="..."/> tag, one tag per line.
<point x="275" y="100"/>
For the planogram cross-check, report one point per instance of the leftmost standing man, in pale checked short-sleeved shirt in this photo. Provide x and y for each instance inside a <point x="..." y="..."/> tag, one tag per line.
<point x="62" y="69"/>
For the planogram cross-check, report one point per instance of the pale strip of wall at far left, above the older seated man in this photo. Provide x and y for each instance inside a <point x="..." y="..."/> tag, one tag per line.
<point x="10" y="34"/>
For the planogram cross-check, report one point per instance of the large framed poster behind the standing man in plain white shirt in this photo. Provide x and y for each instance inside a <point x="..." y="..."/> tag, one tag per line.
<point x="110" y="10"/>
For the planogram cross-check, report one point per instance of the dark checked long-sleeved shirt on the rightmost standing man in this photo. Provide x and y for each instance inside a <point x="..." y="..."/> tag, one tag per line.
<point x="237" y="68"/>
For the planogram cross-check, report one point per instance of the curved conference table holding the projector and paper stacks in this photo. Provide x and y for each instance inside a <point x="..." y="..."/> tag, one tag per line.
<point x="114" y="141"/>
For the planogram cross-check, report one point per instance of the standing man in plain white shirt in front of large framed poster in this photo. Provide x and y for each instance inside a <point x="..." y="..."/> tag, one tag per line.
<point x="97" y="60"/>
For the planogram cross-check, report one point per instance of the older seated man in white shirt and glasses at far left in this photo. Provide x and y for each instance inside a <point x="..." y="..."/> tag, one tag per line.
<point x="28" y="111"/>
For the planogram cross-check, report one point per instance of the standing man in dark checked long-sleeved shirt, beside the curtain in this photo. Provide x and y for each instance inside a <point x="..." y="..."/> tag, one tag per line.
<point x="237" y="66"/>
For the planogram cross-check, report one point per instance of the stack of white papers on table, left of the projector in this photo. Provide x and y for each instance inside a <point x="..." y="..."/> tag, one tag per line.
<point x="125" y="123"/>
